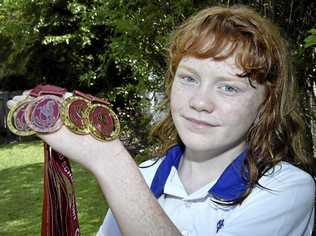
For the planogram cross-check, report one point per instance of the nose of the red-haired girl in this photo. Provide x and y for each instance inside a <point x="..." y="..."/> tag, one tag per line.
<point x="202" y="100"/>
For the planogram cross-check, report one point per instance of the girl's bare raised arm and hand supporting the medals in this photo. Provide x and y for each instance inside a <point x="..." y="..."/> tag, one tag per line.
<point x="136" y="210"/>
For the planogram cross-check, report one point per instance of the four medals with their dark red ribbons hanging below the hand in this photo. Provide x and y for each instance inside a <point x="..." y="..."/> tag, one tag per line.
<point x="46" y="110"/>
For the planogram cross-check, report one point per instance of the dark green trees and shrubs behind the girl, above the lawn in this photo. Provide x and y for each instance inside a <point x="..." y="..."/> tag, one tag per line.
<point x="116" y="48"/>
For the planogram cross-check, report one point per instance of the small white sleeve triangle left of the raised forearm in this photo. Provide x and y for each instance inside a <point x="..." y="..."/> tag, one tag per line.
<point x="109" y="226"/>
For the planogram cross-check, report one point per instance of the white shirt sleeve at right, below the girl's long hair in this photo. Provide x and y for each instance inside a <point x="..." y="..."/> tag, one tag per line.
<point x="287" y="209"/>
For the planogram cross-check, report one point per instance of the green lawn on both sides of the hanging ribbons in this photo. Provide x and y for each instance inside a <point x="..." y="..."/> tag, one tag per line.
<point x="21" y="171"/>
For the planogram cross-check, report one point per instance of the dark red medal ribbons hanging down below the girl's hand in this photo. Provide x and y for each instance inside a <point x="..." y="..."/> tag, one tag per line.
<point x="59" y="213"/>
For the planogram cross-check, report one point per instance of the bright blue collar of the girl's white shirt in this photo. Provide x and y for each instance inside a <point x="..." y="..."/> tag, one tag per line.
<point x="229" y="186"/>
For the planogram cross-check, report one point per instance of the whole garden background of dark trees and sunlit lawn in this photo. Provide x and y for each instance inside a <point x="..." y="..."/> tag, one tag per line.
<point x="113" y="49"/>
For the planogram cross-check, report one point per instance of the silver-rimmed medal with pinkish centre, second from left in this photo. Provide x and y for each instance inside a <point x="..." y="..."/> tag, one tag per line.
<point x="44" y="113"/>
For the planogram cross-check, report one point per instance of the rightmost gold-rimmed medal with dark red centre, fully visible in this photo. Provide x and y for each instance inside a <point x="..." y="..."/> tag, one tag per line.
<point x="103" y="122"/>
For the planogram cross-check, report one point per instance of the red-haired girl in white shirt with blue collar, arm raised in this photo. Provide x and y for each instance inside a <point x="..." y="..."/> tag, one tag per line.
<point x="233" y="161"/>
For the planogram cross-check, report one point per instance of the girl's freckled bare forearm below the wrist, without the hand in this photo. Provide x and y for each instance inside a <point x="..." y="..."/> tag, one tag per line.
<point x="136" y="210"/>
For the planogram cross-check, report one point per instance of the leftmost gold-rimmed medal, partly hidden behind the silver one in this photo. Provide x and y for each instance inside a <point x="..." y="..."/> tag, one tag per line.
<point x="16" y="119"/>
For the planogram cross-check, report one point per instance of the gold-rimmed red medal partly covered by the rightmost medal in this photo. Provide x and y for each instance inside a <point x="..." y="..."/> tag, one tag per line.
<point x="73" y="110"/>
